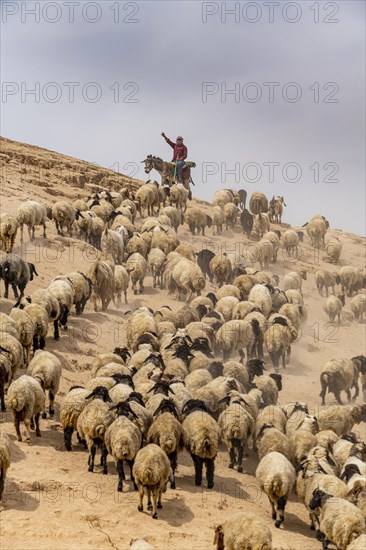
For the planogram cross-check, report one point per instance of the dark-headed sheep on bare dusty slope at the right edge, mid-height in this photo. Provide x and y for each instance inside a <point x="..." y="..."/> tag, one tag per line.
<point x="341" y="375"/>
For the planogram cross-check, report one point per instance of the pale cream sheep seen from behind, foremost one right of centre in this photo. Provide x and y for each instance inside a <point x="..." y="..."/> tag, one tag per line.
<point x="276" y="477"/>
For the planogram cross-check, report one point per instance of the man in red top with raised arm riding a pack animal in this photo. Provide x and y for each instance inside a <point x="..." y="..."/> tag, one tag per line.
<point x="176" y="171"/>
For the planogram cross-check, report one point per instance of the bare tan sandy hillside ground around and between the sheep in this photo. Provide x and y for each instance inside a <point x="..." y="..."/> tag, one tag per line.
<point x="50" y="500"/>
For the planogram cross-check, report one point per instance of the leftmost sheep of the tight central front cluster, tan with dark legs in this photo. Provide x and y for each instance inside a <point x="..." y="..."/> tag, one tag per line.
<point x="71" y="406"/>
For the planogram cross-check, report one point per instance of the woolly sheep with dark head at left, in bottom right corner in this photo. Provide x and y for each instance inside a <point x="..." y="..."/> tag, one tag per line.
<point x="341" y="522"/>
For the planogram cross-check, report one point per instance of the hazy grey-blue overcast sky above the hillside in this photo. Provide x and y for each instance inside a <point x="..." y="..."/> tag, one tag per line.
<point x="138" y="68"/>
